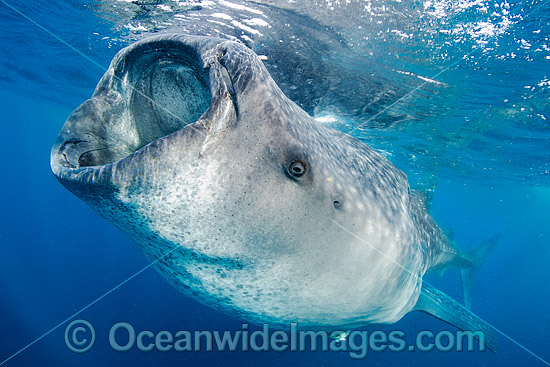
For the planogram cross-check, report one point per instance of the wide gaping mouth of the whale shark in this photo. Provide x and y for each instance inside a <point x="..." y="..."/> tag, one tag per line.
<point x="154" y="91"/>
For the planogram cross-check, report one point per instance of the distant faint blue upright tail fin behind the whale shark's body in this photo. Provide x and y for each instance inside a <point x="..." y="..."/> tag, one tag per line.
<point x="474" y="260"/>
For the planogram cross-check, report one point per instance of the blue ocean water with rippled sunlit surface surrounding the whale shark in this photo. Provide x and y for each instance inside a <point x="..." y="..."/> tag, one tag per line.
<point x="456" y="94"/>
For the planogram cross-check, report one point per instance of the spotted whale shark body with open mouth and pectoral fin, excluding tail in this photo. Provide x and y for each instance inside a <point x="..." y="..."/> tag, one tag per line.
<point x="243" y="200"/>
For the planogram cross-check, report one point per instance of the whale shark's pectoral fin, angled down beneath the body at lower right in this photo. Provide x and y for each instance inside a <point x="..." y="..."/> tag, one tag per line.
<point x="445" y="308"/>
